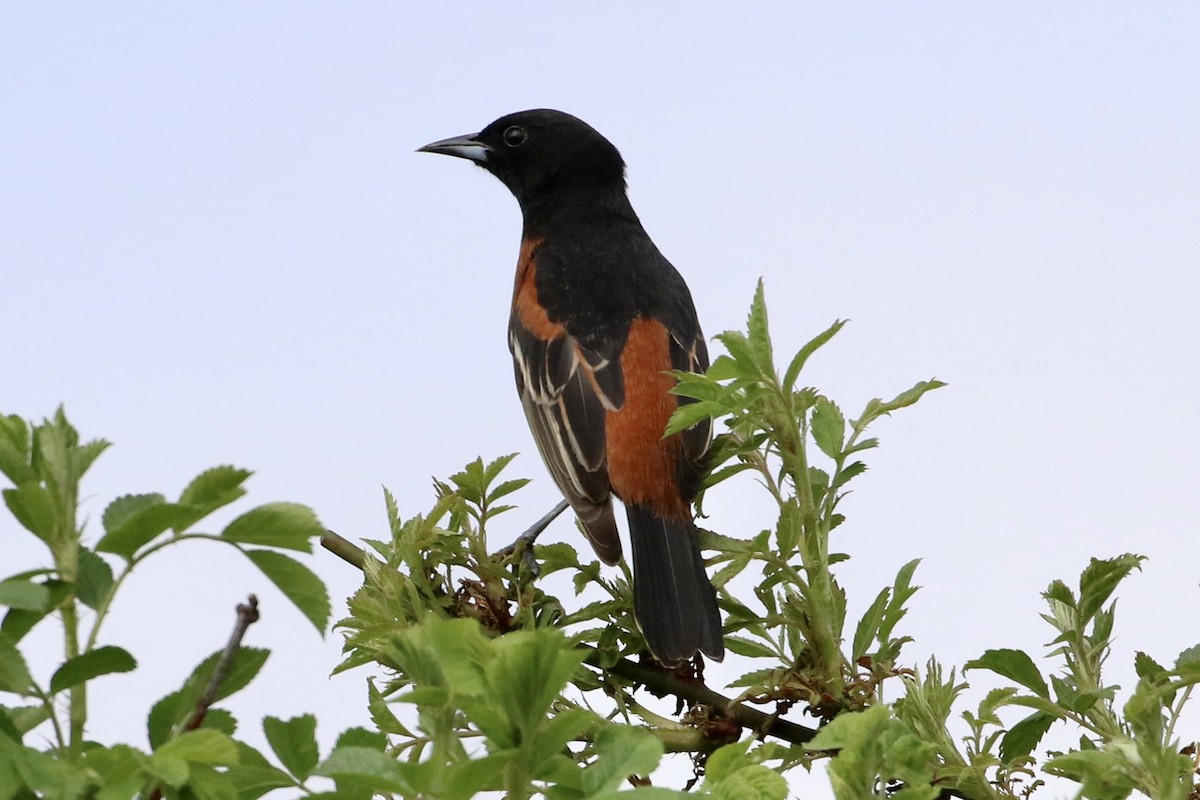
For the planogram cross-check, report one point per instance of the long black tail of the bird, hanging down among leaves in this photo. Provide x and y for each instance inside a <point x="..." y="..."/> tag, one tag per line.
<point x="674" y="601"/>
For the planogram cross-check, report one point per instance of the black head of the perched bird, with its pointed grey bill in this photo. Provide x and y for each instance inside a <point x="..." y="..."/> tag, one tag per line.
<point x="542" y="155"/>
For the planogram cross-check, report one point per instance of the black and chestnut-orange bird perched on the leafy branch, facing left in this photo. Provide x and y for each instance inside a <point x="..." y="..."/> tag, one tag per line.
<point x="599" y="318"/>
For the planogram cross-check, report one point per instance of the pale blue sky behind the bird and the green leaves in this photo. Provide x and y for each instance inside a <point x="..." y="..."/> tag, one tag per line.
<point x="218" y="246"/>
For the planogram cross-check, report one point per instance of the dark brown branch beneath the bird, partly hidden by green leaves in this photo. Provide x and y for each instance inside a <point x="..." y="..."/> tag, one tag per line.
<point x="657" y="679"/>
